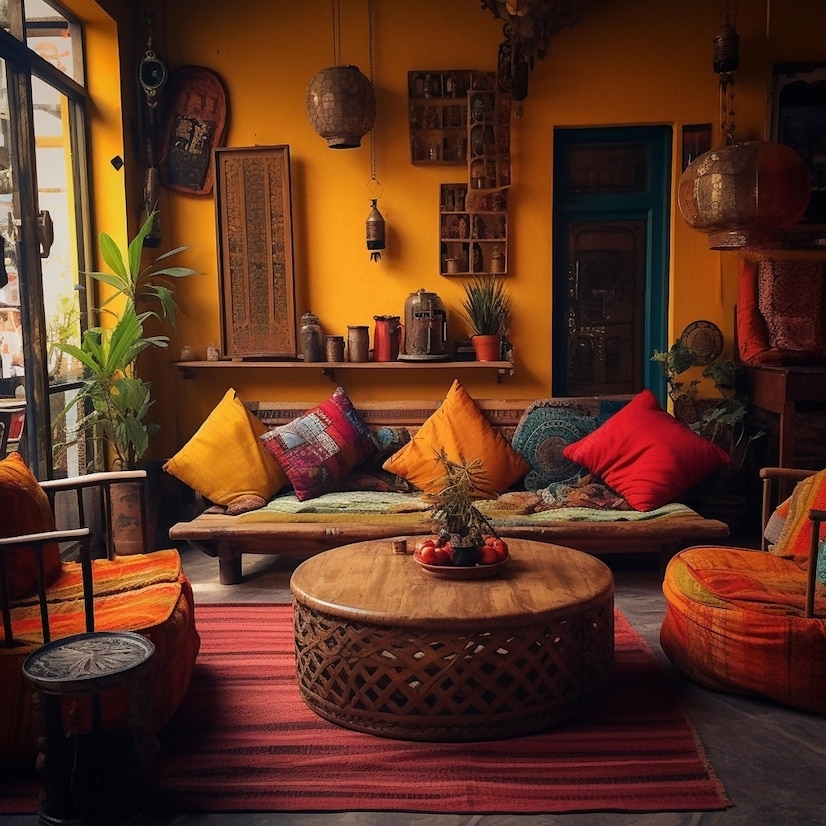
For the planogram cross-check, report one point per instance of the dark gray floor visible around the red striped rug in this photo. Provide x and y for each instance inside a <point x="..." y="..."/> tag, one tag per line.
<point x="771" y="760"/>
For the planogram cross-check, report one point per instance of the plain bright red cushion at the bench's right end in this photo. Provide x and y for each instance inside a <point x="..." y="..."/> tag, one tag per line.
<point x="646" y="455"/>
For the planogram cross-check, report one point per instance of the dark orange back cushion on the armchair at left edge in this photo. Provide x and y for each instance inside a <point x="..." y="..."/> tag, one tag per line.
<point x="24" y="508"/>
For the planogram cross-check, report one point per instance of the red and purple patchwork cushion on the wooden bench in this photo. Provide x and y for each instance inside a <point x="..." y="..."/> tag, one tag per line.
<point x="318" y="449"/>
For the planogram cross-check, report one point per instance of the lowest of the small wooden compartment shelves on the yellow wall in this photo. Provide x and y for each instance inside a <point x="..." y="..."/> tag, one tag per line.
<point x="473" y="231"/>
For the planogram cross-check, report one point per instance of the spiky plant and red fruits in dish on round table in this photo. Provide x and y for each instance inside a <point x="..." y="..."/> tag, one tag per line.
<point x="465" y="536"/>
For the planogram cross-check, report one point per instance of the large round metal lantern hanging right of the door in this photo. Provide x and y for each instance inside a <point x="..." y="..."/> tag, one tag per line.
<point x="745" y="194"/>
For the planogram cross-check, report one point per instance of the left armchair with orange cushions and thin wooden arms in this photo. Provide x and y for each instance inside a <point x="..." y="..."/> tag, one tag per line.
<point x="46" y="600"/>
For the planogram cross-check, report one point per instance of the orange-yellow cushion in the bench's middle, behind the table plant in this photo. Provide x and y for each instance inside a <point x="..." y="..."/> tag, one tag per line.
<point x="462" y="430"/>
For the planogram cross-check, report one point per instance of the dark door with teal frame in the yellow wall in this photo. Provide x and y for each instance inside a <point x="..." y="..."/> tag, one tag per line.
<point x="611" y="217"/>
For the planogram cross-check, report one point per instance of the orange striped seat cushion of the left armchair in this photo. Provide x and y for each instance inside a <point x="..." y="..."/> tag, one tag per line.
<point x="146" y="593"/>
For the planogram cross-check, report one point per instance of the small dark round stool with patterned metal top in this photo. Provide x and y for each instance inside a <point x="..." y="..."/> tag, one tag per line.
<point x="91" y="774"/>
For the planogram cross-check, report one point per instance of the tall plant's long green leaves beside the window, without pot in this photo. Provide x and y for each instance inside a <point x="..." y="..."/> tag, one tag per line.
<point x="113" y="400"/>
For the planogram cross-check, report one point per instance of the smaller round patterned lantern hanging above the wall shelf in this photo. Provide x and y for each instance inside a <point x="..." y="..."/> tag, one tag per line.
<point x="341" y="103"/>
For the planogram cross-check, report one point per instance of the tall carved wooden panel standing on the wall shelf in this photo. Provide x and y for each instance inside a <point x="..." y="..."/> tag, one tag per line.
<point x="255" y="252"/>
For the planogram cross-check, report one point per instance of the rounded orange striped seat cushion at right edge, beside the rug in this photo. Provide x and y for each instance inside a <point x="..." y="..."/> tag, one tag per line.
<point x="735" y="622"/>
